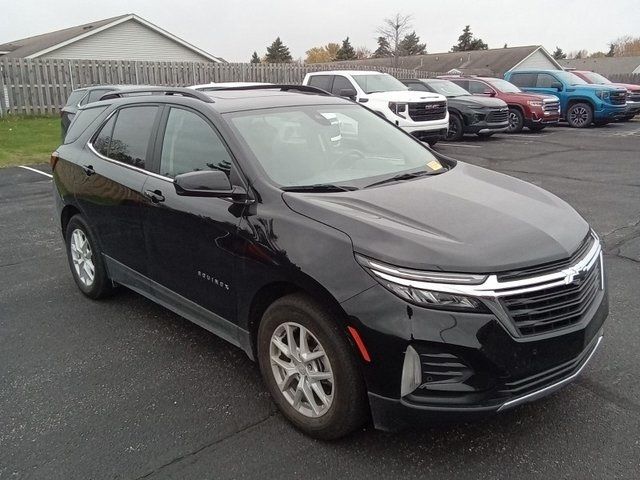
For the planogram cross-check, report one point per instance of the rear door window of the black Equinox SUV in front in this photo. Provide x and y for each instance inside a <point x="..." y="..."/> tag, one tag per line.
<point x="128" y="140"/>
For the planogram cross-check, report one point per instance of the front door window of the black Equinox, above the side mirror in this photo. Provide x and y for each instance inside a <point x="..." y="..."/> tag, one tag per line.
<point x="190" y="144"/>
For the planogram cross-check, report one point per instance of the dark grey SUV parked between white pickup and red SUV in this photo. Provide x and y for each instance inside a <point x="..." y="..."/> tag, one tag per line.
<point x="467" y="113"/>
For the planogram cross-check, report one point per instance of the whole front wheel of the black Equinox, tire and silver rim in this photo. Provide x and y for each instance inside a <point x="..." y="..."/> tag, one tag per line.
<point x="310" y="369"/>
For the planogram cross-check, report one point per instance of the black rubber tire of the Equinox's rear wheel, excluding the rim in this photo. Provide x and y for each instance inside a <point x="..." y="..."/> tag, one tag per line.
<point x="101" y="286"/>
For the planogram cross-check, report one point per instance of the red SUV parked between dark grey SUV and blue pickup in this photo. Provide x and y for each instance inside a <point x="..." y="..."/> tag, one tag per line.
<point x="525" y="109"/>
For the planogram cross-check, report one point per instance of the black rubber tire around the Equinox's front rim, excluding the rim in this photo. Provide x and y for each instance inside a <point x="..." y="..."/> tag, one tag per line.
<point x="349" y="408"/>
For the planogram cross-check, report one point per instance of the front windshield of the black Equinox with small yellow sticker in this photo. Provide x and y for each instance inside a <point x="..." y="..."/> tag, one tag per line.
<point x="329" y="145"/>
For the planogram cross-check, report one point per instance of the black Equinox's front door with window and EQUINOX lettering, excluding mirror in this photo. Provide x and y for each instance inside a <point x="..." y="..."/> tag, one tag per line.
<point x="190" y="240"/>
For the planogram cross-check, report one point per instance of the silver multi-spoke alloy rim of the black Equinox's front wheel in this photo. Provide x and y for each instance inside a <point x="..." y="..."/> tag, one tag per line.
<point x="302" y="369"/>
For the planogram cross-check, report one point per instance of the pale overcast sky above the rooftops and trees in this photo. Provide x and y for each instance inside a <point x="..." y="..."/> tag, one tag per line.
<point x="233" y="29"/>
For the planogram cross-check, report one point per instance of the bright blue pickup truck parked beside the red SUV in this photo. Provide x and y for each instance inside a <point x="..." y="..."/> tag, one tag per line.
<point x="581" y="104"/>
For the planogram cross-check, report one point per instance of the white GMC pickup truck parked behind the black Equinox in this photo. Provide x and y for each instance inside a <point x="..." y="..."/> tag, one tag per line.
<point x="422" y="114"/>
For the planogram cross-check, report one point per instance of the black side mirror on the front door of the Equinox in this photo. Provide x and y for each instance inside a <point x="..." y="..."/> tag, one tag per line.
<point x="214" y="183"/>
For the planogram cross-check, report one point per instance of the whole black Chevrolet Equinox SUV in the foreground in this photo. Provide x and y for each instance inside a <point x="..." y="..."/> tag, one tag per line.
<point x="367" y="274"/>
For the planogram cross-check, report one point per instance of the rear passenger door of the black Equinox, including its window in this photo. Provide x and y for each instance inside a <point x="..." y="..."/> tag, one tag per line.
<point x="110" y="190"/>
